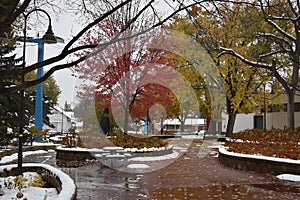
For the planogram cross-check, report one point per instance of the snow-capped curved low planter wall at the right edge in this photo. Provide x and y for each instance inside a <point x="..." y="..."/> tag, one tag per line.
<point x="260" y="164"/>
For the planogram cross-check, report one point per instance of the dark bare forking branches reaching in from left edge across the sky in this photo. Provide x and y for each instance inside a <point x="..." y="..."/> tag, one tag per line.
<point x="66" y="51"/>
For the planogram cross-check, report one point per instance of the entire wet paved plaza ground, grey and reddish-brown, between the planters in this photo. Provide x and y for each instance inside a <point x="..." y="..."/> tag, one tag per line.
<point x="195" y="174"/>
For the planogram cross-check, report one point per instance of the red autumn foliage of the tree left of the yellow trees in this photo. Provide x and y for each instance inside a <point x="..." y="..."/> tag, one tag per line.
<point x="131" y="75"/>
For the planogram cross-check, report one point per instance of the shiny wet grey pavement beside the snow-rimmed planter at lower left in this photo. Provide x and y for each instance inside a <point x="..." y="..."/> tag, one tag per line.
<point x="95" y="182"/>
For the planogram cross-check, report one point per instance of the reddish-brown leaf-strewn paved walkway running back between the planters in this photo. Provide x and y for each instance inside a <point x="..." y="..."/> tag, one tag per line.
<point x="197" y="174"/>
